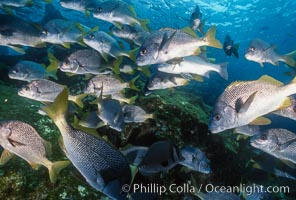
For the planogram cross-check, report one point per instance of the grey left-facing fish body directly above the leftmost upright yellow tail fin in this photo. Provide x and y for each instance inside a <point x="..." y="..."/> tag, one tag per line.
<point x="85" y="62"/>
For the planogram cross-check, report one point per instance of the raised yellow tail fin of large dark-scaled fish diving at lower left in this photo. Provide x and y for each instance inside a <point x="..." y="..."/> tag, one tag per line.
<point x="57" y="111"/>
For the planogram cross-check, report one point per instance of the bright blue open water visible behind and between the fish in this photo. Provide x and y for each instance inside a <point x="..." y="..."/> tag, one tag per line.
<point x="273" y="21"/>
